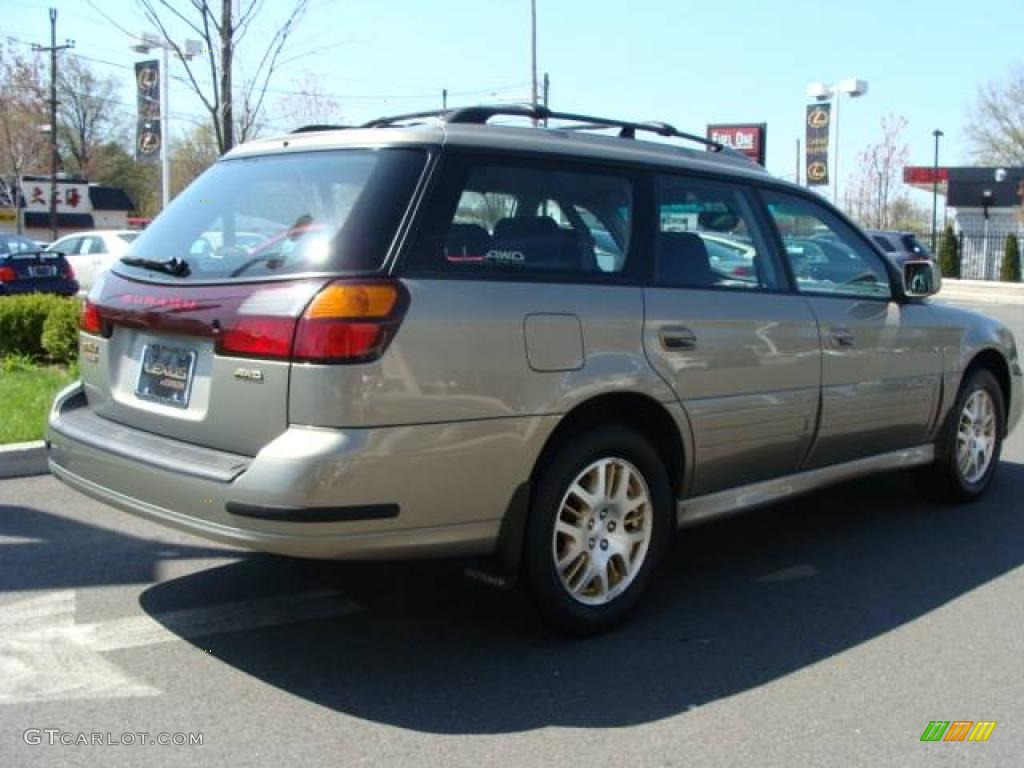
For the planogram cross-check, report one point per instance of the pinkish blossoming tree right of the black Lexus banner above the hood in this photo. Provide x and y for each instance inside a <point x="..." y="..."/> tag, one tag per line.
<point x="875" y="191"/>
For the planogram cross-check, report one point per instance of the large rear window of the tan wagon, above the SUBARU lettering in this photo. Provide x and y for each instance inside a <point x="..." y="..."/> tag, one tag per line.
<point x="285" y="215"/>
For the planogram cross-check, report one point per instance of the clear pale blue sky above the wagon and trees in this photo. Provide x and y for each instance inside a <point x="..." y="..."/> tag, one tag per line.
<point x="687" y="63"/>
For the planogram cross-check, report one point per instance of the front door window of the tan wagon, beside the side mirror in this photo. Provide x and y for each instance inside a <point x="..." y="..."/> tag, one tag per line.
<point x="826" y="254"/>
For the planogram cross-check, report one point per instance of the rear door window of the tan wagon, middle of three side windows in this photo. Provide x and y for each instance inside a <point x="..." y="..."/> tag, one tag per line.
<point x="708" y="238"/>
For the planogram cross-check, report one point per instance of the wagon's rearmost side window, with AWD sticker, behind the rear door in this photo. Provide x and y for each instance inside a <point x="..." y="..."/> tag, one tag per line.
<point x="497" y="219"/>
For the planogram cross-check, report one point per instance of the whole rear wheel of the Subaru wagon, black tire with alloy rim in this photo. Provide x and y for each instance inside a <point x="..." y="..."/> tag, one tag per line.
<point x="590" y="575"/>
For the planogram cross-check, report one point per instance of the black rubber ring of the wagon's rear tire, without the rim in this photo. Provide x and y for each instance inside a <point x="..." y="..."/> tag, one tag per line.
<point x="611" y="442"/>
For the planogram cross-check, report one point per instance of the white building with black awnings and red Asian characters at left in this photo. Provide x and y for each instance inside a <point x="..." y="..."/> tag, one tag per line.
<point x="80" y="206"/>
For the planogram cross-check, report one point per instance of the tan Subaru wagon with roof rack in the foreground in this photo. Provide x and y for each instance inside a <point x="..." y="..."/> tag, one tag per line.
<point x="471" y="339"/>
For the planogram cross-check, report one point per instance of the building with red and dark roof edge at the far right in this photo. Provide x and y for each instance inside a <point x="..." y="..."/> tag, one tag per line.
<point x="985" y="204"/>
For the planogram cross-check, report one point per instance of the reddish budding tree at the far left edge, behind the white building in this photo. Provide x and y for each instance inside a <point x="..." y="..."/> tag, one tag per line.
<point x="24" y="148"/>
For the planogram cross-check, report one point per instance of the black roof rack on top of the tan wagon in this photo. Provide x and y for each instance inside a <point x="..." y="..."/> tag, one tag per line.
<point x="481" y="115"/>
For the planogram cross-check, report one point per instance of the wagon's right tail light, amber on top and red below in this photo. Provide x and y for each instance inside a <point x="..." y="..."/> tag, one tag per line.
<point x="350" y="322"/>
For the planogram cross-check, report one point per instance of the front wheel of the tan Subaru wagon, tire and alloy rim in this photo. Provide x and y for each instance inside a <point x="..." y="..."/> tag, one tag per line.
<point x="969" y="448"/>
